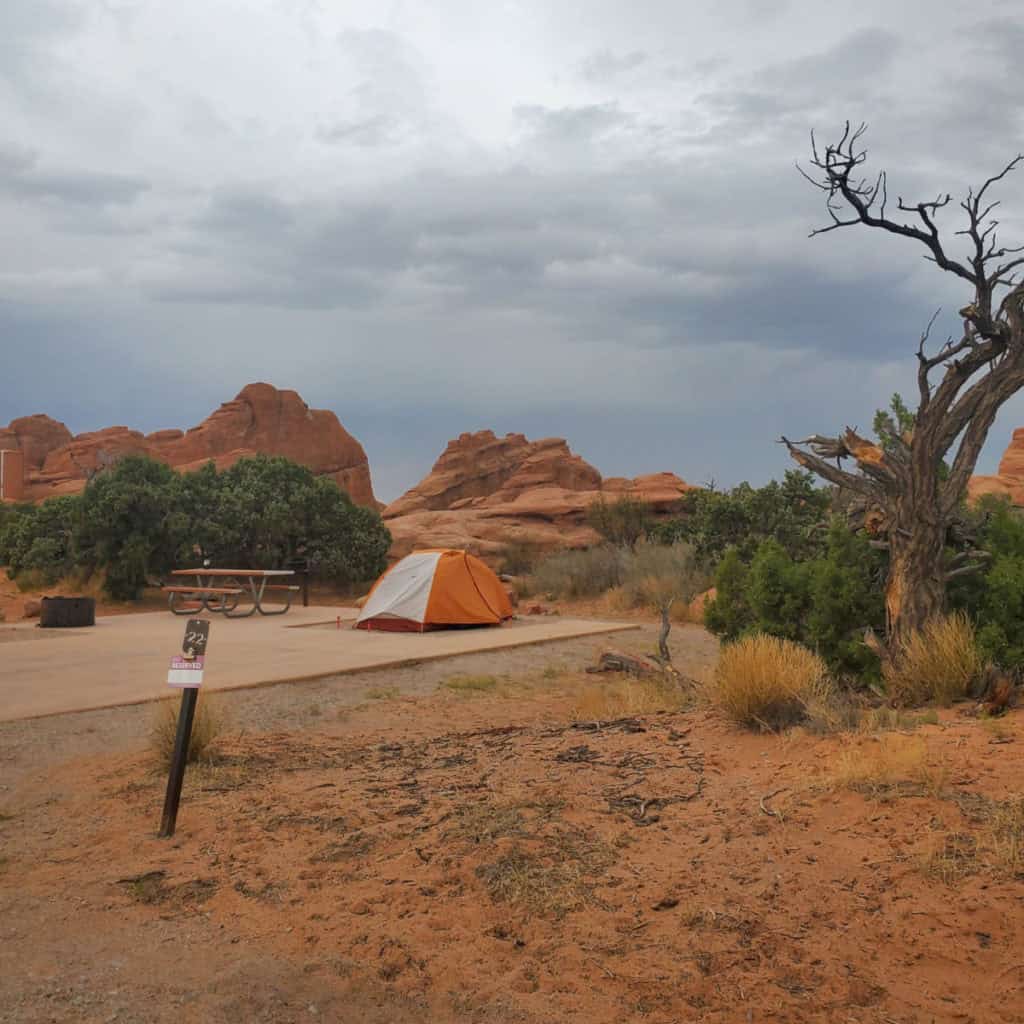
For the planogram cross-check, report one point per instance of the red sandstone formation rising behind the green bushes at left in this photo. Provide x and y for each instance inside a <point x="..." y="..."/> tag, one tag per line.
<point x="261" y="420"/>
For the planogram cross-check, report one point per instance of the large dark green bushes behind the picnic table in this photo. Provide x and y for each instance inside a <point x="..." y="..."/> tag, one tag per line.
<point x="138" y="520"/>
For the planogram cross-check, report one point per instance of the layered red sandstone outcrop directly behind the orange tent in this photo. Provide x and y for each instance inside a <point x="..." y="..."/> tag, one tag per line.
<point x="486" y="493"/>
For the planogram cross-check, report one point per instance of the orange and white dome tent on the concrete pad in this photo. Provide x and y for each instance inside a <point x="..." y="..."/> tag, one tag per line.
<point x="431" y="590"/>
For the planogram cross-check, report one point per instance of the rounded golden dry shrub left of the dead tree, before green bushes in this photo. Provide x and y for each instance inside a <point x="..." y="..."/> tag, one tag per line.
<point x="765" y="681"/>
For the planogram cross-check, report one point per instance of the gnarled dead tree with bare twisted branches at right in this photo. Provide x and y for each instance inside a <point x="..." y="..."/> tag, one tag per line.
<point x="912" y="500"/>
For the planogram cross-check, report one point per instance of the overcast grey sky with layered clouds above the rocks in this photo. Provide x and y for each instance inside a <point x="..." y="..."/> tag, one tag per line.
<point x="578" y="219"/>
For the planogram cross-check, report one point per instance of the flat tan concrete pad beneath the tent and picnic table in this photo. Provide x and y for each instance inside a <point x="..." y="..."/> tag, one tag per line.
<point x="124" y="659"/>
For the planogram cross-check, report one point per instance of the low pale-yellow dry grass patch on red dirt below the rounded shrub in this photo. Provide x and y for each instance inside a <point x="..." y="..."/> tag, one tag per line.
<point x="889" y="764"/>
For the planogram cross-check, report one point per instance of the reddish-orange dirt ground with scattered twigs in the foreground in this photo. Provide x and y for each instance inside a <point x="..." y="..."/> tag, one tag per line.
<point x="502" y="839"/>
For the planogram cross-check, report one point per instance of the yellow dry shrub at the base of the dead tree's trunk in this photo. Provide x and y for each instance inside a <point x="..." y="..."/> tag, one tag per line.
<point x="940" y="664"/>
